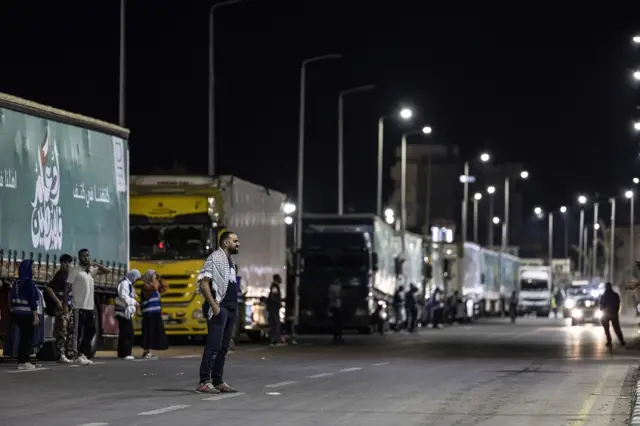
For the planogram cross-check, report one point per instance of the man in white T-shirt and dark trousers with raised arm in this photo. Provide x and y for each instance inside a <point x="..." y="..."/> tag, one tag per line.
<point x="82" y="286"/>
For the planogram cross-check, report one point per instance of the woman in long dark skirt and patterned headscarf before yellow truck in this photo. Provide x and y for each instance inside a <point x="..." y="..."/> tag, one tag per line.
<point x="153" y="335"/>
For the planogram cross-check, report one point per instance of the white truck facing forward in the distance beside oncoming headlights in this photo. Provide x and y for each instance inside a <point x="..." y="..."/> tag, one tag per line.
<point x="536" y="289"/>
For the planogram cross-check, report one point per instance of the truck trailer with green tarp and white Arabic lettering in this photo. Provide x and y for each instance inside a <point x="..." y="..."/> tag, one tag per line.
<point x="64" y="186"/>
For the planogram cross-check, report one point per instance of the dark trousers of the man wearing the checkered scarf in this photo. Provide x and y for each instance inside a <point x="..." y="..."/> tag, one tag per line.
<point x="219" y="335"/>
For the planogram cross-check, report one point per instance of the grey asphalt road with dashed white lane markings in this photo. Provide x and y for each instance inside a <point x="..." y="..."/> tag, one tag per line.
<point x="537" y="372"/>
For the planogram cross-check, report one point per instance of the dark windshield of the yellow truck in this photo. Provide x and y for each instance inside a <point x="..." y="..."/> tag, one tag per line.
<point x="168" y="242"/>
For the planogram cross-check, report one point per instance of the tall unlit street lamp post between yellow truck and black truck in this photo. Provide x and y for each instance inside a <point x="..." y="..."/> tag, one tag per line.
<point x="303" y="78"/>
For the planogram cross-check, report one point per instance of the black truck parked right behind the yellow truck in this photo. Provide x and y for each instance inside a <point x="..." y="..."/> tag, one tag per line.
<point x="356" y="250"/>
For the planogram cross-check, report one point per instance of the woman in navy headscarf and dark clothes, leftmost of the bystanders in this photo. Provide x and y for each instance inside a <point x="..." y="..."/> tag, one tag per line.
<point x="24" y="312"/>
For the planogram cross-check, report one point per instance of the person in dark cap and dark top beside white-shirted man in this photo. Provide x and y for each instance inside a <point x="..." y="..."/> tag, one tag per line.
<point x="57" y="299"/>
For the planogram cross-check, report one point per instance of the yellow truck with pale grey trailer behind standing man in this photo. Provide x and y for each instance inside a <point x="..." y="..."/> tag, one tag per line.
<point x="175" y="223"/>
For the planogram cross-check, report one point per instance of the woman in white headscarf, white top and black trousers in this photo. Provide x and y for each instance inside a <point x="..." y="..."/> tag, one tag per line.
<point x="126" y="304"/>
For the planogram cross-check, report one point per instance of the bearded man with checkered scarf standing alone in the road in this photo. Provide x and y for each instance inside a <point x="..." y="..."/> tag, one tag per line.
<point x="217" y="283"/>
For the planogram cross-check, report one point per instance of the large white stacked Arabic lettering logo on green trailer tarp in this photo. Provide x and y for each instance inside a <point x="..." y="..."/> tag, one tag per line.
<point x="46" y="218"/>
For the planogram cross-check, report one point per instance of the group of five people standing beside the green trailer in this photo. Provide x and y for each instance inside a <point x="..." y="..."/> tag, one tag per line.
<point x="70" y="298"/>
